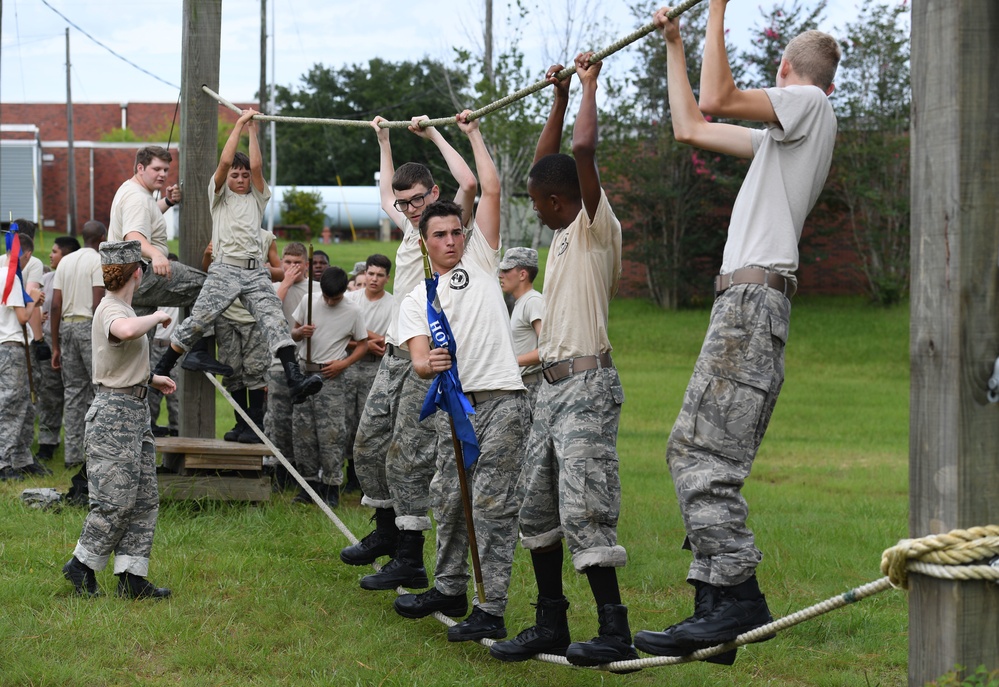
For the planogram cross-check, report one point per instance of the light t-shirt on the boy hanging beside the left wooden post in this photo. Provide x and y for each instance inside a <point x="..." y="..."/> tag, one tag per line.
<point x="236" y="219"/>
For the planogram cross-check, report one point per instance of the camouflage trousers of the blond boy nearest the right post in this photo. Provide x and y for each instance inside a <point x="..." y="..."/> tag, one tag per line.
<point x="725" y="412"/>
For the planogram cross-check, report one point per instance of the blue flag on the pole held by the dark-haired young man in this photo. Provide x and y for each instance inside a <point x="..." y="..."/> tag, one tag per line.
<point x="445" y="391"/>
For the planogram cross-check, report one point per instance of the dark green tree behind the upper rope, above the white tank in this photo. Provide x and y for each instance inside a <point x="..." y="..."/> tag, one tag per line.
<point x="318" y="154"/>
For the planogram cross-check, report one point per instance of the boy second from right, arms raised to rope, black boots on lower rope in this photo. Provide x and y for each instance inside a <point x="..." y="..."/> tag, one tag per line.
<point x="573" y="489"/>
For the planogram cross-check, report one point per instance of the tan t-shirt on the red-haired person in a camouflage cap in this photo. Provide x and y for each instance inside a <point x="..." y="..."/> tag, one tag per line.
<point x="117" y="363"/>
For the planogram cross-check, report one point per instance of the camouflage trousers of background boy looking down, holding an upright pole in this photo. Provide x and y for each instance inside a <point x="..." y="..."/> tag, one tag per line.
<point x="319" y="434"/>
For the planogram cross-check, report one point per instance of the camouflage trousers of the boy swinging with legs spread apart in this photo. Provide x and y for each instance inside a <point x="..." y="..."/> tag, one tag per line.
<point x="226" y="283"/>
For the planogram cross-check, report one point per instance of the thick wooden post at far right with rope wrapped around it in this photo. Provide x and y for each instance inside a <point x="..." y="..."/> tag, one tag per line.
<point x="954" y="431"/>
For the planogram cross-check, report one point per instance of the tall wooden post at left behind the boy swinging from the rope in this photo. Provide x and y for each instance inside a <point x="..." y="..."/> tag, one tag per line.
<point x="199" y="117"/>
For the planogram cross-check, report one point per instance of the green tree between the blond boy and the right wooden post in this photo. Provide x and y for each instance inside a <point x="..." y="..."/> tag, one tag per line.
<point x="871" y="164"/>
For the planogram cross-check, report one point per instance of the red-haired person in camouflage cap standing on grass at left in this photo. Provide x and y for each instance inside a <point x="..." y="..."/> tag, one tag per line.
<point x="124" y="501"/>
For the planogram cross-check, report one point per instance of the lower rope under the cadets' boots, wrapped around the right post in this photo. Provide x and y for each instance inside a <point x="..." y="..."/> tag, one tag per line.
<point x="945" y="556"/>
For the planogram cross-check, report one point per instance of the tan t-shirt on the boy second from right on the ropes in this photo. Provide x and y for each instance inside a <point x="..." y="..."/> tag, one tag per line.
<point x="582" y="274"/>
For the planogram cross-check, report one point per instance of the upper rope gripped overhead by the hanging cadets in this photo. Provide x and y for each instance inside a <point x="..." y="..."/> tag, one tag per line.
<point x="491" y="107"/>
